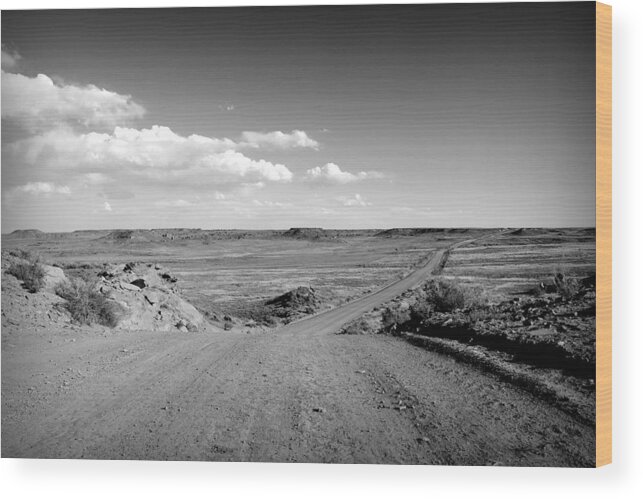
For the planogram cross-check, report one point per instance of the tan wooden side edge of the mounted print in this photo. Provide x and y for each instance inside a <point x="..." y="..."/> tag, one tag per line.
<point x="603" y="234"/>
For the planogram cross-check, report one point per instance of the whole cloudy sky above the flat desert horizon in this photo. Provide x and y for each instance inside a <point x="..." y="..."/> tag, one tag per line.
<point x="470" y="115"/>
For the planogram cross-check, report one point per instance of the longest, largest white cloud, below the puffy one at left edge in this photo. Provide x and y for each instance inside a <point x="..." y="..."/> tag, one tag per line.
<point x="156" y="154"/>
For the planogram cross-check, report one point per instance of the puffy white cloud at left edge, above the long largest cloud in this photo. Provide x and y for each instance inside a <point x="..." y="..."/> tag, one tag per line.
<point x="38" y="103"/>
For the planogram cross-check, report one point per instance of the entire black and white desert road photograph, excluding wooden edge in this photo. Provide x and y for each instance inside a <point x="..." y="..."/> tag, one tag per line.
<point x="350" y="234"/>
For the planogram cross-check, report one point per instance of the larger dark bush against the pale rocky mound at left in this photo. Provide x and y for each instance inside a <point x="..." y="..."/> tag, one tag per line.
<point x="88" y="306"/>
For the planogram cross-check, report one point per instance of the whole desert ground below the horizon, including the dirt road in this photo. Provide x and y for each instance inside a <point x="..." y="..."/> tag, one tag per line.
<point x="392" y="346"/>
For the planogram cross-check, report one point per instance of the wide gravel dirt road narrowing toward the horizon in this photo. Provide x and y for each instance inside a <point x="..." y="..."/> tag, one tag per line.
<point x="297" y="394"/>
